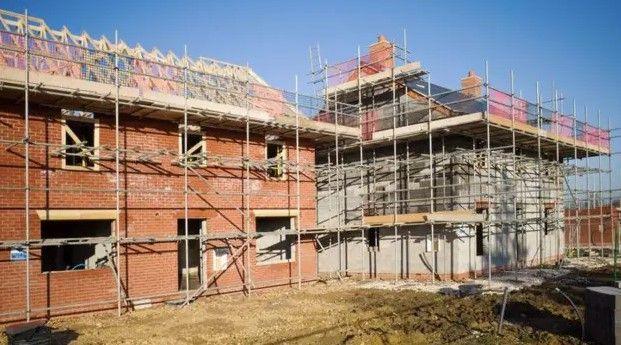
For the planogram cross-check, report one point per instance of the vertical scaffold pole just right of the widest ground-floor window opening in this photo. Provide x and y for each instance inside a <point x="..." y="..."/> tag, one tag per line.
<point x="117" y="220"/>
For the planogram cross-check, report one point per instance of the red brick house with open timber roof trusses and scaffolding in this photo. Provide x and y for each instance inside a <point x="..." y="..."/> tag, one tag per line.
<point x="134" y="156"/>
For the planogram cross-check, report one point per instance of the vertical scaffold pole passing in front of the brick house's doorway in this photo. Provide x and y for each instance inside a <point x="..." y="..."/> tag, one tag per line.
<point x="185" y="176"/>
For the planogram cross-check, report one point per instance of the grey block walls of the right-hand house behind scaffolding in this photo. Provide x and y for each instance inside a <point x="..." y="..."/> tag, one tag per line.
<point x="460" y="179"/>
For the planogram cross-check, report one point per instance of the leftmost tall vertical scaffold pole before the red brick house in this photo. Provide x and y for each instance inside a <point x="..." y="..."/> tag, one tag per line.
<point x="27" y="160"/>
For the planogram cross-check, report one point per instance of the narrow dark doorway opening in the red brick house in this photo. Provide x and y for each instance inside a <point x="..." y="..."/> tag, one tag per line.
<point x="194" y="270"/>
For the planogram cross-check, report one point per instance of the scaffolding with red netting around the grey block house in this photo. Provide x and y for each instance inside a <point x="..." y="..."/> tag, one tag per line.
<point x="523" y="155"/>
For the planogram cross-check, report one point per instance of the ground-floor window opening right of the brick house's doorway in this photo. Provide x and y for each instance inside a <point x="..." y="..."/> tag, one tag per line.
<point x="274" y="247"/>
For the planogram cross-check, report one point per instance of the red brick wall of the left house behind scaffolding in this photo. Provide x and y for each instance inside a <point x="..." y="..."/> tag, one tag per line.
<point x="146" y="269"/>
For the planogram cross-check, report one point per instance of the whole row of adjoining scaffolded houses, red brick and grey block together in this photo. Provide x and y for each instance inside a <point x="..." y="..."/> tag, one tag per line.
<point x="132" y="177"/>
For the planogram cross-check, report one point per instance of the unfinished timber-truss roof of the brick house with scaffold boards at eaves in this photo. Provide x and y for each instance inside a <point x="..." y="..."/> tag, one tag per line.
<point x="78" y="71"/>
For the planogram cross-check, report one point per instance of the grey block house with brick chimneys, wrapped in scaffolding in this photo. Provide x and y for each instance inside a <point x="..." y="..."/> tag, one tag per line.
<point x="451" y="183"/>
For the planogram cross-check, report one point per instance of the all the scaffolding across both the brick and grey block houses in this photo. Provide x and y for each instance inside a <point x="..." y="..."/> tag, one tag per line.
<point x="515" y="143"/>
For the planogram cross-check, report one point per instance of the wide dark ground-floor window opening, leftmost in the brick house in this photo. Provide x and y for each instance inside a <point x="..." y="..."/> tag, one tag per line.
<point x="75" y="257"/>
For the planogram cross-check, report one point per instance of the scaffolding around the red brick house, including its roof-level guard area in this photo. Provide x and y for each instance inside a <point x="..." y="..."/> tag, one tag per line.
<point x="27" y="45"/>
